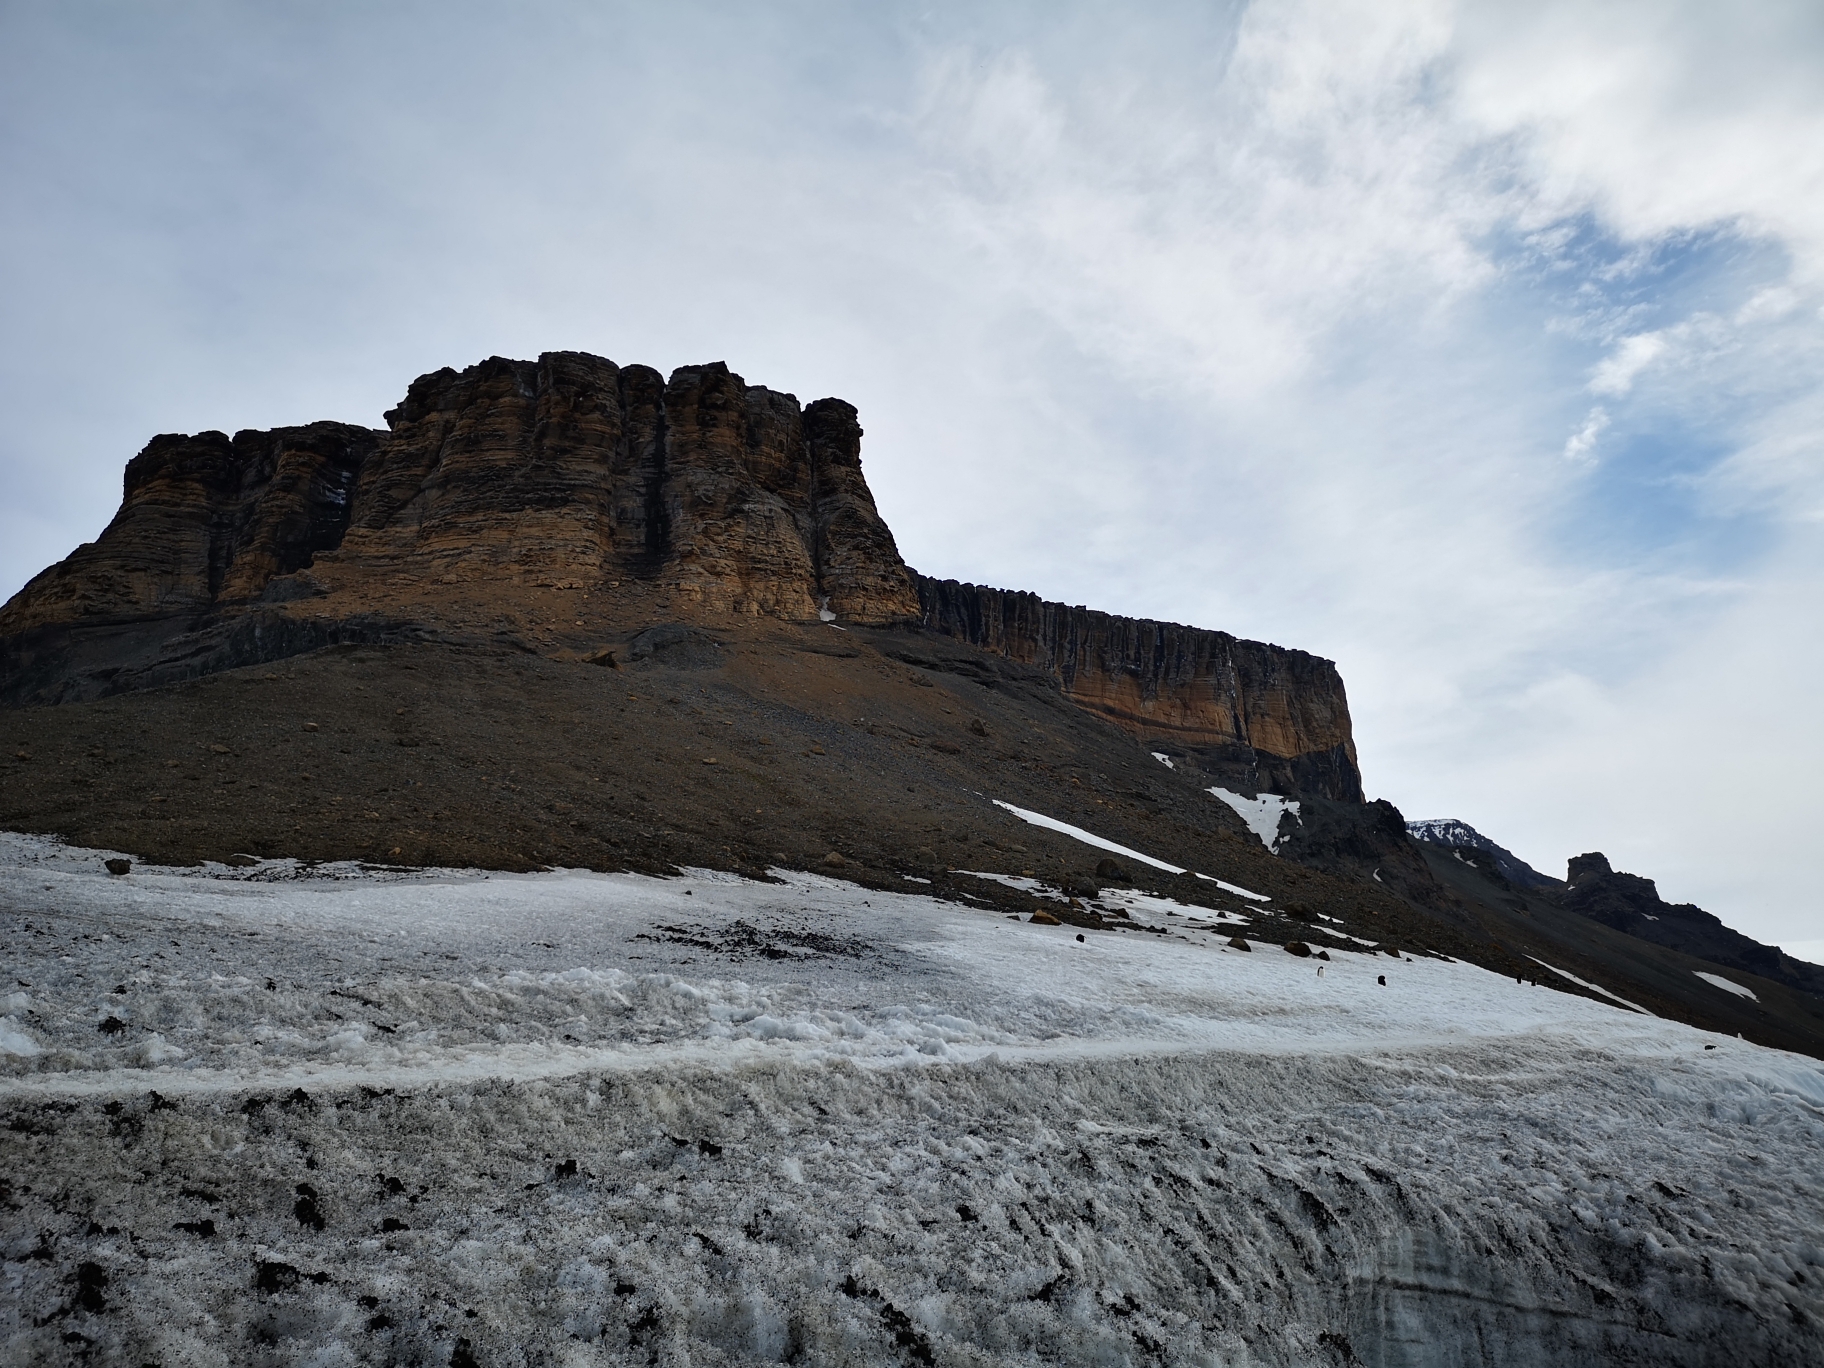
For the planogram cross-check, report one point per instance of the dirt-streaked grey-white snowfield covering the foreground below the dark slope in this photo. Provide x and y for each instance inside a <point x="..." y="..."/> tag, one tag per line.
<point x="358" y="1117"/>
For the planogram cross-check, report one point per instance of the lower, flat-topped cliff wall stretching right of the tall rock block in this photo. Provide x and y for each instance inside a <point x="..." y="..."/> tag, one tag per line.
<point x="1256" y="716"/>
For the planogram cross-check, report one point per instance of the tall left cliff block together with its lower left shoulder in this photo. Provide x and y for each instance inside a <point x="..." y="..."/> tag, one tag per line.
<point x="492" y="488"/>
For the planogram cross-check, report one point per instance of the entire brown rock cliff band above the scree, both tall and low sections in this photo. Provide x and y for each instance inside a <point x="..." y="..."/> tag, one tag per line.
<point x="554" y="504"/>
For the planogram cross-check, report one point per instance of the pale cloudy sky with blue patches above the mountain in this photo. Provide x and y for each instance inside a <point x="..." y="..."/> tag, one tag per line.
<point x="1477" y="347"/>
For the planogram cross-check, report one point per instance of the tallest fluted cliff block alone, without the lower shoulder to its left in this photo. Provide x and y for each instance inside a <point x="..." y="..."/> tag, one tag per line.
<point x="732" y="495"/>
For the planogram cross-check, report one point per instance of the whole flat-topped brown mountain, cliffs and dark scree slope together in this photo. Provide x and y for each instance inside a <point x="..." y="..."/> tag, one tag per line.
<point x="566" y="612"/>
